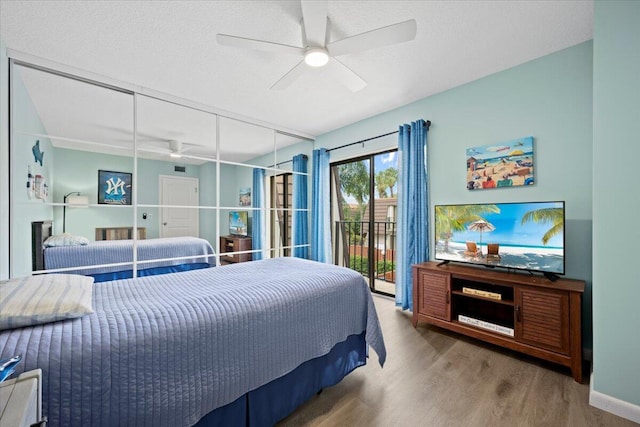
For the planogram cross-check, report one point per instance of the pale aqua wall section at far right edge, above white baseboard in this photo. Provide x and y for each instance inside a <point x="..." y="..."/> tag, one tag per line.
<point x="616" y="278"/>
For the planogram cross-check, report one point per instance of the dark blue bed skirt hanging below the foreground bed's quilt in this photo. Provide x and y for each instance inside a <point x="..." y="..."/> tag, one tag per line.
<point x="275" y="400"/>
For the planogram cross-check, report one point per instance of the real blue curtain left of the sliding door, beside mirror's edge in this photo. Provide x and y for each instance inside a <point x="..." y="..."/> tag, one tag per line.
<point x="320" y="219"/>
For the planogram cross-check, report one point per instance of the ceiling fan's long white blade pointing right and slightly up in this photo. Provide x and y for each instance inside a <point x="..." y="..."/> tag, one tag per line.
<point x="396" y="33"/>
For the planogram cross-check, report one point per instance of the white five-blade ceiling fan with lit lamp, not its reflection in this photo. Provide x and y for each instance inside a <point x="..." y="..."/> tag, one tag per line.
<point x="318" y="51"/>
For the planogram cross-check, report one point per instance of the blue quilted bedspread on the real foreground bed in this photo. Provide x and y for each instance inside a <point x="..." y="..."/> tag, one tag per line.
<point x="166" y="350"/>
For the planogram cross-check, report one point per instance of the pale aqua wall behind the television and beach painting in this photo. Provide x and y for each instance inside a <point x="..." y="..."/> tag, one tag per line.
<point x="549" y="98"/>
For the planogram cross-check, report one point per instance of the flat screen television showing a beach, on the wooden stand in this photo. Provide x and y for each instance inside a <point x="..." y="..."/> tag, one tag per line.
<point x="524" y="236"/>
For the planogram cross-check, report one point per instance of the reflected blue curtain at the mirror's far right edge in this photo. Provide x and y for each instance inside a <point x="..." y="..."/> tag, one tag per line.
<point x="299" y="222"/>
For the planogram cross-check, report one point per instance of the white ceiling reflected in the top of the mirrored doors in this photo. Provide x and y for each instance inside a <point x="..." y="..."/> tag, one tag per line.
<point x="89" y="117"/>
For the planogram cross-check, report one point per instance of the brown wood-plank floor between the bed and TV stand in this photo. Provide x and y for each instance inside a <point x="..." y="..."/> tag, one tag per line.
<point x="436" y="378"/>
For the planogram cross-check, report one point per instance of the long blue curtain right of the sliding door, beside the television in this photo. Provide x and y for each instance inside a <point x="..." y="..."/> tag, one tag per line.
<point x="413" y="213"/>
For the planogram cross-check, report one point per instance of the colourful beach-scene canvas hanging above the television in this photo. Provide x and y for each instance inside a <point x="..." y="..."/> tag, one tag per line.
<point x="508" y="164"/>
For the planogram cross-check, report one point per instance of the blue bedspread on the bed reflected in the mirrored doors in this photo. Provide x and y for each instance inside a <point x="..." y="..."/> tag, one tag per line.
<point x="182" y="250"/>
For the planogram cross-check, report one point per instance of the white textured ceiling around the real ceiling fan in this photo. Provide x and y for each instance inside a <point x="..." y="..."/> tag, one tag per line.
<point x="171" y="47"/>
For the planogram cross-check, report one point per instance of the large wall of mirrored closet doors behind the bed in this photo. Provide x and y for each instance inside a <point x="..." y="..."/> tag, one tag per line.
<point x="93" y="165"/>
